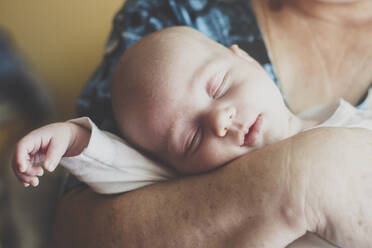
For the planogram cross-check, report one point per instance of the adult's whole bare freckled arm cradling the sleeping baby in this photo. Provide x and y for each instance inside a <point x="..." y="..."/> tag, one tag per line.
<point x="267" y="198"/>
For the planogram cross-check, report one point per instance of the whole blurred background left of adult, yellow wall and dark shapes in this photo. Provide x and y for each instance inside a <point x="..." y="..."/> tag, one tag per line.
<point x="48" y="50"/>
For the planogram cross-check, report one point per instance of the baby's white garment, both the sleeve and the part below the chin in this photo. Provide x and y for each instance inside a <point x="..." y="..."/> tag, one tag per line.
<point x="109" y="165"/>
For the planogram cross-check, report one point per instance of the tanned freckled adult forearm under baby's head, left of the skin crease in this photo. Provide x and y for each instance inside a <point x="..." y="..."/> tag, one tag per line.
<point x="249" y="203"/>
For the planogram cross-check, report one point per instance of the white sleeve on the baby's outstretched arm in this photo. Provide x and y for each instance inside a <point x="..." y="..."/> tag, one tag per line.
<point x="109" y="165"/>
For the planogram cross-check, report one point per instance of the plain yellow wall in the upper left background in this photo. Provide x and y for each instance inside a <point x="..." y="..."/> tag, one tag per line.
<point x="62" y="40"/>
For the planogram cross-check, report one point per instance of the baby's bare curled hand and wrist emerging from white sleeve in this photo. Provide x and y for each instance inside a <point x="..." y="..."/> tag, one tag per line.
<point x="47" y="144"/>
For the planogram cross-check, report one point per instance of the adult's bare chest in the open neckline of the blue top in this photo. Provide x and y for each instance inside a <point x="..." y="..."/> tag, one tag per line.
<point x="317" y="61"/>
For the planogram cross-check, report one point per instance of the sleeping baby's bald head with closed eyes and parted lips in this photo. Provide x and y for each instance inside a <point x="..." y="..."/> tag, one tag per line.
<point x="197" y="105"/>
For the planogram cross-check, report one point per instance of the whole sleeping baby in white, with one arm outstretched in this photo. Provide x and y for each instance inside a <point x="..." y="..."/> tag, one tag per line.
<point x="183" y="100"/>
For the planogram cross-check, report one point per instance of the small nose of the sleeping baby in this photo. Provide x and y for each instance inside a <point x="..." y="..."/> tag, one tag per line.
<point x="221" y="120"/>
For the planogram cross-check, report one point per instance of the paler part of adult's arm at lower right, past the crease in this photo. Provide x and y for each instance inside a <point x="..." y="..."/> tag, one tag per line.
<point x="339" y="191"/>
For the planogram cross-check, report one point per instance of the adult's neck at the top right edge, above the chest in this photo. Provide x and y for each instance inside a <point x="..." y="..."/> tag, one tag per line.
<point x="339" y="12"/>
